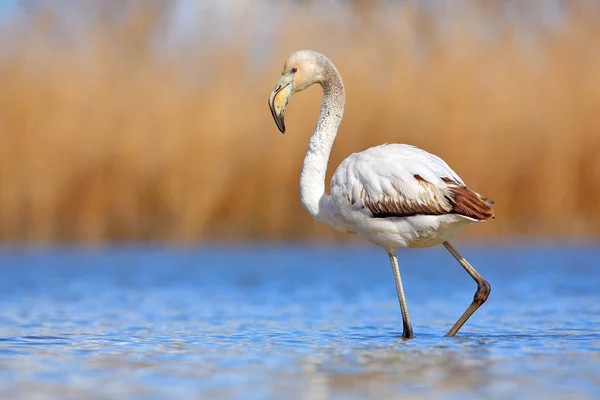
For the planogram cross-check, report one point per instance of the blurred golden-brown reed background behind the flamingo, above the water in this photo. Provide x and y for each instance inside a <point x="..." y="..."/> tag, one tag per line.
<point x="148" y="120"/>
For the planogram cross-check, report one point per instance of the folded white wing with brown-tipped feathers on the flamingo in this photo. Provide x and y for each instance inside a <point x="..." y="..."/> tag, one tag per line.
<point x="396" y="180"/>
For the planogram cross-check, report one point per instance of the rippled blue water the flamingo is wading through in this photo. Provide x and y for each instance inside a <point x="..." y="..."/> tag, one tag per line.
<point x="296" y="323"/>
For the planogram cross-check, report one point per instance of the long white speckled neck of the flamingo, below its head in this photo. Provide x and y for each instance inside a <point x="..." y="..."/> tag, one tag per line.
<point x="312" y="178"/>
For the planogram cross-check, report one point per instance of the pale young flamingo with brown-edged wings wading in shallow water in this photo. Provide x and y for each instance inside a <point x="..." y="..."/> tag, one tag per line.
<point x="393" y="195"/>
